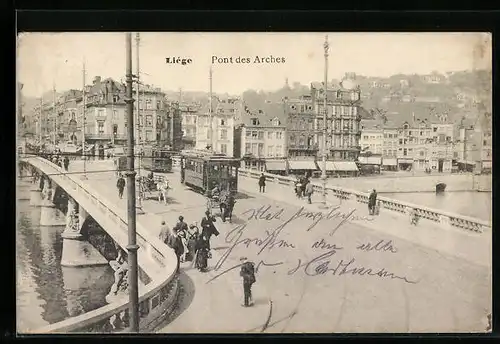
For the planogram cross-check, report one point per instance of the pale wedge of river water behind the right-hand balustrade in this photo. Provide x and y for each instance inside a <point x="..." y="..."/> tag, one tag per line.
<point x="469" y="203"/>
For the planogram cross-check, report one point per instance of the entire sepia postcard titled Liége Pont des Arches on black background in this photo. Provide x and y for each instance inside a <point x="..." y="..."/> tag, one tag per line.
<point x="254" y="182"/>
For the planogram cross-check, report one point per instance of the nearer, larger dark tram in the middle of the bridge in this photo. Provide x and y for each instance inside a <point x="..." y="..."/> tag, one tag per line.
<point x="203" y="170"/>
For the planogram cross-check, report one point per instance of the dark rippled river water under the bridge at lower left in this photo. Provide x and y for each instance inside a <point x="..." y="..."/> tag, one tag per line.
<point x="46" y="292"/>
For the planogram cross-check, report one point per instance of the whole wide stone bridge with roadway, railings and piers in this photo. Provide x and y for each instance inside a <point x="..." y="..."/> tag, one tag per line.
<point x="332" y="269"/>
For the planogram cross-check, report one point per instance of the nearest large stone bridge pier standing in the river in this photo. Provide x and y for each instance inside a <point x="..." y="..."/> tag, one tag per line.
<point x="78" y="252"/>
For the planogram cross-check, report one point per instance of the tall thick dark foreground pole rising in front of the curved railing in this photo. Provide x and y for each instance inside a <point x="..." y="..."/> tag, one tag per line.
<point x="132" y="246"/>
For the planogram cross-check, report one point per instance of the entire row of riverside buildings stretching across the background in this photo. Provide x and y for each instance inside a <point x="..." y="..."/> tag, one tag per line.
<point x="280" y="137"/>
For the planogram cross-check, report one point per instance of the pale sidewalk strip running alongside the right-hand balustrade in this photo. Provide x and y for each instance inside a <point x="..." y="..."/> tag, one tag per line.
<point x="473" y="247"/>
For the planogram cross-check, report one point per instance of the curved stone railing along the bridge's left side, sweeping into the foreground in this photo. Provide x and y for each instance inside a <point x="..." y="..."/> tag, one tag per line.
<point x="156" y="299"/>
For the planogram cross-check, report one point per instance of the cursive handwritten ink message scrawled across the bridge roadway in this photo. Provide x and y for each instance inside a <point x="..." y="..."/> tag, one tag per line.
<point x="325" y="263"/>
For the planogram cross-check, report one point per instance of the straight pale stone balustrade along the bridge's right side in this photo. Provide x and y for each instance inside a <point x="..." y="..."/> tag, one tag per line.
<point x="436" y="216"/>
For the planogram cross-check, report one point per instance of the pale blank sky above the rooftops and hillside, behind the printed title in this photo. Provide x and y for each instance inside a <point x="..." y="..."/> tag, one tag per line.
<point x="56" y="59"/>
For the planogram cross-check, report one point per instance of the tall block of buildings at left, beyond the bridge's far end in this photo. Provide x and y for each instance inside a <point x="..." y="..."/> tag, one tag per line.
<point x="61" y="117"/>
